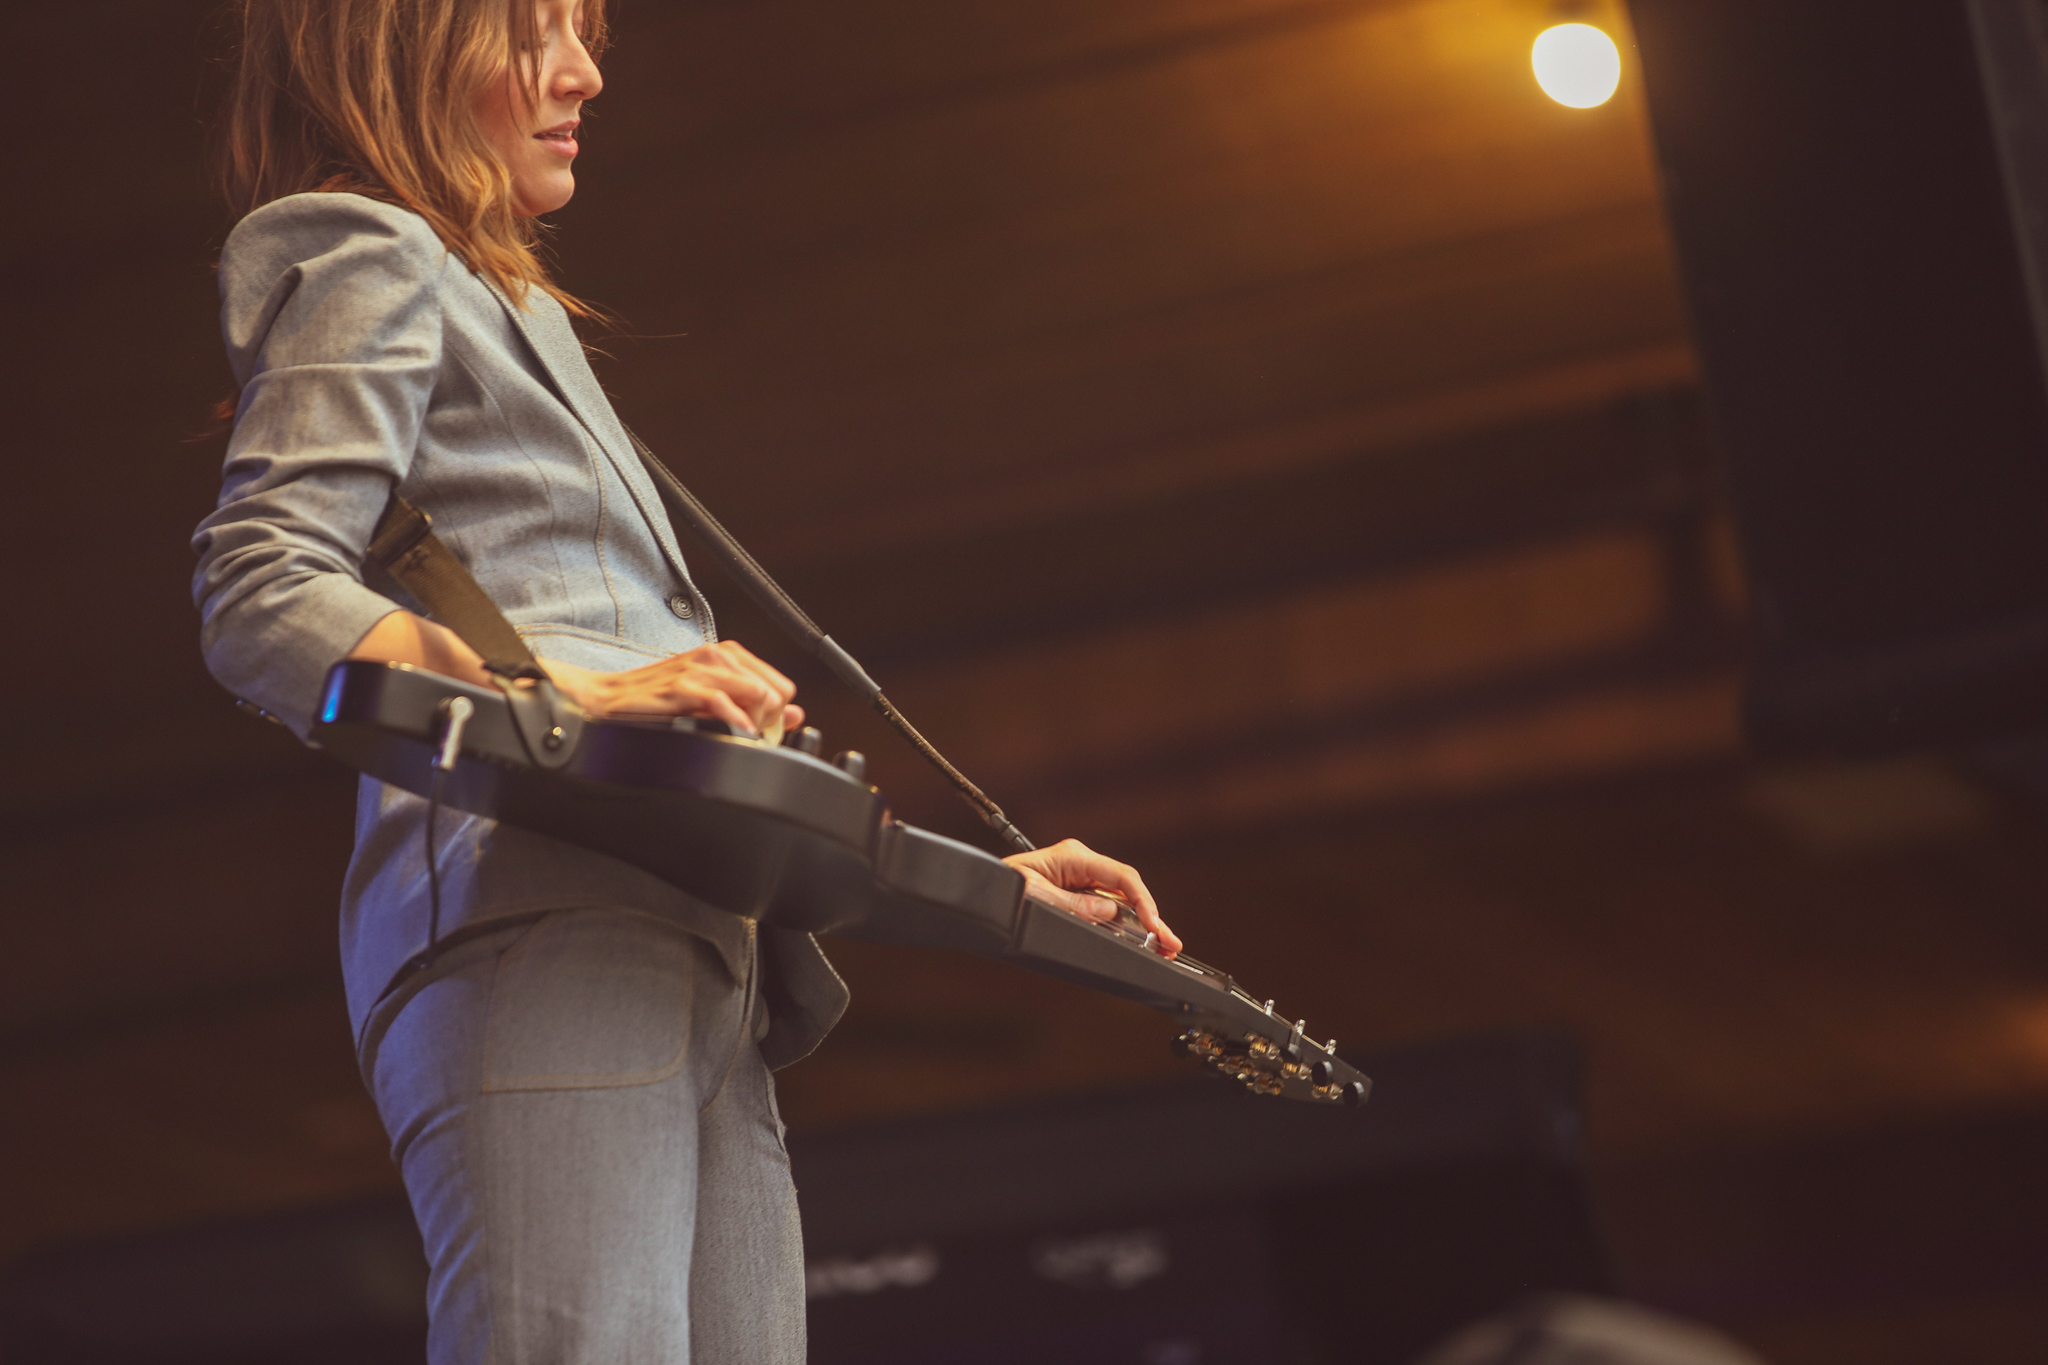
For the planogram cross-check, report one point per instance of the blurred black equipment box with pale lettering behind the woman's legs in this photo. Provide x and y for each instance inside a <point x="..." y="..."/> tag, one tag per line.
<point x="1199" y="1225"/>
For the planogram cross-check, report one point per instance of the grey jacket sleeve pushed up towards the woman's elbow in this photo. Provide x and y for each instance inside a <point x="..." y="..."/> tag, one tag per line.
<point x="331" y="308"/>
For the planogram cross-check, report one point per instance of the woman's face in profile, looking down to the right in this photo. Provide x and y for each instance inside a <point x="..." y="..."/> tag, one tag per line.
<point x="538" y="142"/>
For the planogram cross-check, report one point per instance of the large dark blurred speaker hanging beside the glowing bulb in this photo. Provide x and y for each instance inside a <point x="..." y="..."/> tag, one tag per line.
<point x="1861" y="204"/>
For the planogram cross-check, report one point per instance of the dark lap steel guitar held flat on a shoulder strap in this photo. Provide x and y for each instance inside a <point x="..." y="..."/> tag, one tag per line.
<point x="779" y="834"/>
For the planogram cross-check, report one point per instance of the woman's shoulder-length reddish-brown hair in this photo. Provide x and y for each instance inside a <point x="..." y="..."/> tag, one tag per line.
<point x="380" y="97"/>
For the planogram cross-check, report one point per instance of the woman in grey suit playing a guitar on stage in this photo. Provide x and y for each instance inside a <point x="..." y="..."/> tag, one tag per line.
<point x="579" y="1090"/>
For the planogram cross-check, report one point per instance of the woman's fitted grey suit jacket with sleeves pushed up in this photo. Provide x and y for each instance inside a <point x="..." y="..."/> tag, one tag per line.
<point x="372" y="359"/>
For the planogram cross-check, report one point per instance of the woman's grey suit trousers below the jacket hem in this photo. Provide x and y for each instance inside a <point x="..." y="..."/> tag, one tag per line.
<point x="593" y="1151"/>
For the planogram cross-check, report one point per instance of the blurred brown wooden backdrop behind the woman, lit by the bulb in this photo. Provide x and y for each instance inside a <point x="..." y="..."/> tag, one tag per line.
<point x="1258" y="437"/>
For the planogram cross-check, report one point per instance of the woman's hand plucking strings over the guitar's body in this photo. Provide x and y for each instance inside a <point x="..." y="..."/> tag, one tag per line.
<point x="724" y="682"/>
